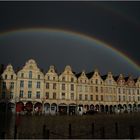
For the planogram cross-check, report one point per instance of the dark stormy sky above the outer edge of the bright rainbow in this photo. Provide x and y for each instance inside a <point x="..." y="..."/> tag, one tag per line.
<point x="116" y="23"/>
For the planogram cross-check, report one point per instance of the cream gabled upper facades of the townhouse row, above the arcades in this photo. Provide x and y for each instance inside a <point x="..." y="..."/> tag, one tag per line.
<point x="30" y="84"/>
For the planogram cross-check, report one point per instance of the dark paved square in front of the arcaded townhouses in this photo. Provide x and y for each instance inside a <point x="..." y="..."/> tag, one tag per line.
<point x="92" y="126"/>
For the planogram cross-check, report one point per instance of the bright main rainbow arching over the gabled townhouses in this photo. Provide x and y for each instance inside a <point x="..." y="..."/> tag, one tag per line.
<point x="81" y="36"/>
